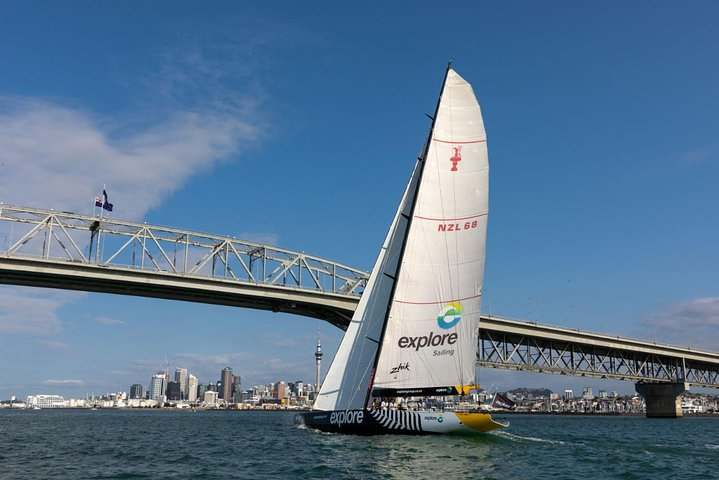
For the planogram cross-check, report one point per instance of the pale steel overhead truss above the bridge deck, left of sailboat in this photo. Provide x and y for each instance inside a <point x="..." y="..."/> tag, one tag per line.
<point x="61" y="236"/>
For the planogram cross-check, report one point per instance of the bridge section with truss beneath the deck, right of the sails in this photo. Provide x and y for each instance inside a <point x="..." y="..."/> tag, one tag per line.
<point x="516" y="345"/>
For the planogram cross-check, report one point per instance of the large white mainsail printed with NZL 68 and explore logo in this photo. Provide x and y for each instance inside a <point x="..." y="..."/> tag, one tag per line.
<point x="431" y="333"/>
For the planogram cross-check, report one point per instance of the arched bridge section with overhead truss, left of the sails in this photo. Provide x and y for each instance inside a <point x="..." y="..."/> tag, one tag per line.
<point x="47" y="248"/>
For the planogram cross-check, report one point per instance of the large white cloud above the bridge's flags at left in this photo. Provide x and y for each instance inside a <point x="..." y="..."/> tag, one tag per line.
<point x="55" y="156"/>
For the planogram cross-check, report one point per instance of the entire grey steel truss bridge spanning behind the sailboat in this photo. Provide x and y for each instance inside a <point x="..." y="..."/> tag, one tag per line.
<point x="47" y="248"/>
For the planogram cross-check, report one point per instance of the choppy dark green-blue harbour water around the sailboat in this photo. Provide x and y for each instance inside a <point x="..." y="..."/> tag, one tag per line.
<point x="221" y="445"/>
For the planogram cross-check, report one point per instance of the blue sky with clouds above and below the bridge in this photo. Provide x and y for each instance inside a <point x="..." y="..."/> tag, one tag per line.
<point x="300" y="125"/>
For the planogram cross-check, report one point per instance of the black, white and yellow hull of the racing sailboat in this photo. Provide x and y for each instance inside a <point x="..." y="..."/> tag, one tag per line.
<point x="402" y="422"/>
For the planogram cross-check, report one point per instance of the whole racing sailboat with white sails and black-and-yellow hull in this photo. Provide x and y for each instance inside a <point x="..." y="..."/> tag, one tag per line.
<point x="414" y="333"/>
